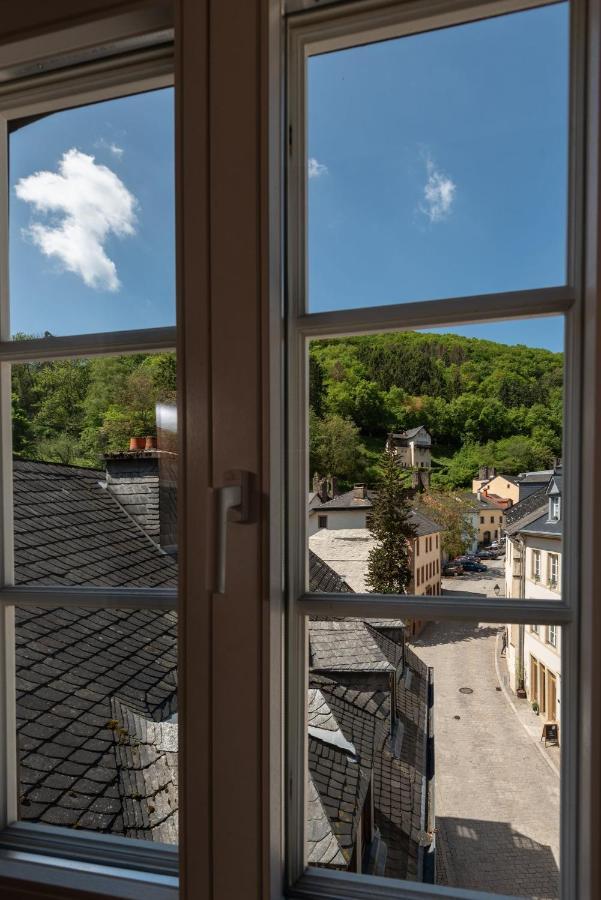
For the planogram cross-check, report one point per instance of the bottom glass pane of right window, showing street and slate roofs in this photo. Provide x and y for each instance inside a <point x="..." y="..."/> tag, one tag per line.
<point x="435" y="758"/>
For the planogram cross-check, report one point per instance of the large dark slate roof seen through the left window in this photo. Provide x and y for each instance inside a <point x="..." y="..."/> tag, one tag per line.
<point x="96" y="688"/>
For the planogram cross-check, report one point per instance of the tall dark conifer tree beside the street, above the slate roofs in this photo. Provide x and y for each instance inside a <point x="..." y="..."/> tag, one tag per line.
<point x="389" y="562"/>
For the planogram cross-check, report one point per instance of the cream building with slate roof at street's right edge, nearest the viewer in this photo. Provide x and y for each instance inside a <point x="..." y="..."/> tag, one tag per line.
<point x="533" y="570"/>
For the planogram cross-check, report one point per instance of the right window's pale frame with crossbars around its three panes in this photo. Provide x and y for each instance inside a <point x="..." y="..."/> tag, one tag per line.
<point x="336" y="26"/>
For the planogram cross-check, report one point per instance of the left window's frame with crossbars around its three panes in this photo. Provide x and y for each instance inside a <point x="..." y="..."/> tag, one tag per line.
<point x="109" y="864"/>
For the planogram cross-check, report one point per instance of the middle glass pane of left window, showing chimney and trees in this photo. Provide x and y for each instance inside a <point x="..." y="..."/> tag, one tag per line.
<point x="95" y="471"/>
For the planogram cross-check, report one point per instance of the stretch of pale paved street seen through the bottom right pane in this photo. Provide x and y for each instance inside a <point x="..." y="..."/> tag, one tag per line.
<point x="496" y="798"/>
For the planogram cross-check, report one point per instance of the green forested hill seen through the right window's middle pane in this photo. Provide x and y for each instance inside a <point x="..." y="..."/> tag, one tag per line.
<point x="483" y="402"/>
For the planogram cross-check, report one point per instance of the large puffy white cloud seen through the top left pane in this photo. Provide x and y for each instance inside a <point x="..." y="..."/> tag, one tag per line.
<point x="89" y="202"/>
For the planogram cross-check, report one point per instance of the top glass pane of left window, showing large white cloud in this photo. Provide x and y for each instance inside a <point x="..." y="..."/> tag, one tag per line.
<point x="92" y="231"/>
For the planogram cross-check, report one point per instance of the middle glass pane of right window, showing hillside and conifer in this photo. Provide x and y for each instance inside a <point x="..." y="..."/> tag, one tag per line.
<point x="435" y="460"/>
